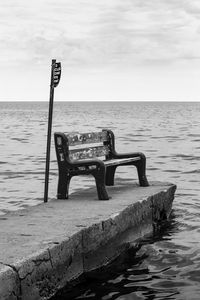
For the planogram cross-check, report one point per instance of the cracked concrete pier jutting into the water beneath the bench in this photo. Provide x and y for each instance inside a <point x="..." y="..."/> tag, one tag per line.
<point x="42" y="248"/>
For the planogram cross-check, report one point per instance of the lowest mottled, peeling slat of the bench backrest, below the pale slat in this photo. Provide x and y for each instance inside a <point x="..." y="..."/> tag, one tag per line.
<point x="85" y="153"/>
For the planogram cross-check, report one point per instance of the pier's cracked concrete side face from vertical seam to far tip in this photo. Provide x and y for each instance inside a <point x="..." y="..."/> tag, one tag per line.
<point x="104" y="241"/>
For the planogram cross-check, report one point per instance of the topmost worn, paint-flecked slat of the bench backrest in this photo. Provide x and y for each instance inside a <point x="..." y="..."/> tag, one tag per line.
<point x="86" y="138"/>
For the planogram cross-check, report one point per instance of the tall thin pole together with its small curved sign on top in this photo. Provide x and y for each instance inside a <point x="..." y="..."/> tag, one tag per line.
<point x="55" y="78"/>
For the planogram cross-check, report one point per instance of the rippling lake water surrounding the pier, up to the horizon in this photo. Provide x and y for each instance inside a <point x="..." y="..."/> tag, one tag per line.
<point x="165" y="267"/>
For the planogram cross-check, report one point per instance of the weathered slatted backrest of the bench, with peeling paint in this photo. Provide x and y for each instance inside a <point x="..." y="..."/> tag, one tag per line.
<point x="75" y="146"/>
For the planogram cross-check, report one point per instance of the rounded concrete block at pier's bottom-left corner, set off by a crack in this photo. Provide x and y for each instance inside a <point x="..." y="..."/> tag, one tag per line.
<point x="9" y="283"/>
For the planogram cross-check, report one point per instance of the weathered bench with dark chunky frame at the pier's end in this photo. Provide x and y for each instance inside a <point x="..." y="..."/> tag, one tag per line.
<point x="93" y="153"/>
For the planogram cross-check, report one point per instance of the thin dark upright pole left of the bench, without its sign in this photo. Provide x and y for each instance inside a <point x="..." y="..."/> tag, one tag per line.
<point x="49" y="132"/>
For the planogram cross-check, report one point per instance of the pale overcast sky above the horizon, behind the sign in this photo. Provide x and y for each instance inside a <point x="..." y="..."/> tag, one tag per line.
<point x="109" y="49"/>
